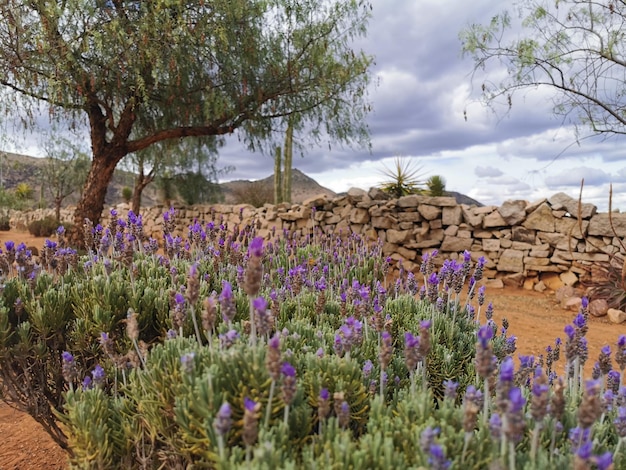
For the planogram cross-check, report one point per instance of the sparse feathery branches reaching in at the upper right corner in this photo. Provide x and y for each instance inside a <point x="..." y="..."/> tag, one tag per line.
<point x="574" y="47"/>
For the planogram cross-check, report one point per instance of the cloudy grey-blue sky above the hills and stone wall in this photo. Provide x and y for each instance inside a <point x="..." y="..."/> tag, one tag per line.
<point x="423" y="89"/>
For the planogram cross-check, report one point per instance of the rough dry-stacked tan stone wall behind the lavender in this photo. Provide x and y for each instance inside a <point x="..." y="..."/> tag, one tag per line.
<point x="539" y="243"/>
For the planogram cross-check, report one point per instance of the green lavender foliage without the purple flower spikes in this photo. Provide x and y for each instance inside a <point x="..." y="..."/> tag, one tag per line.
<point x="159" y="410"/>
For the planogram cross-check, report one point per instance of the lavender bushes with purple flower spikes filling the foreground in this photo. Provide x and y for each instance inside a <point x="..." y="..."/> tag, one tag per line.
<point x="264" y="354"/>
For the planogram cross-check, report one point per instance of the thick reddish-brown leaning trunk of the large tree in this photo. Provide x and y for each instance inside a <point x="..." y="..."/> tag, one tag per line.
<point x="91" y="203"/>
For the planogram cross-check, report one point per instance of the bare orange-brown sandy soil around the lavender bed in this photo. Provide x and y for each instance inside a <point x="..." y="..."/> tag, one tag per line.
<point x="535" y="318"/>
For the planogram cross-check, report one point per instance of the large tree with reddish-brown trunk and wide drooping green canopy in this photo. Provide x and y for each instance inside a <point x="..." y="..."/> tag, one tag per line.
<point x="138" y="73"/>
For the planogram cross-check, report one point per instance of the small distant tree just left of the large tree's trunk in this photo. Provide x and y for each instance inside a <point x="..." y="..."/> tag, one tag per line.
<point x="65" y="170"/>
